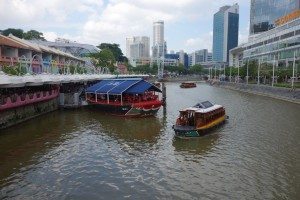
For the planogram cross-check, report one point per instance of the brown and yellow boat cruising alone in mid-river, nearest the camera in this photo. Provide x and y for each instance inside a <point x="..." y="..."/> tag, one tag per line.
<point x="198" y="120"/>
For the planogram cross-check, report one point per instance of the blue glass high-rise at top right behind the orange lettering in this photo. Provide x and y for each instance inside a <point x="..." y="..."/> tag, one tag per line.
<point x="264" y="13"/>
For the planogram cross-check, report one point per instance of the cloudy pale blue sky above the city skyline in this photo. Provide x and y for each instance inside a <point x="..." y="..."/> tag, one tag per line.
<point x="188" y="23"/>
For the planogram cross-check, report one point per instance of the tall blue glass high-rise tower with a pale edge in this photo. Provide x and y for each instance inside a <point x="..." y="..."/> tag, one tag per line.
<point x="225" y="32"/>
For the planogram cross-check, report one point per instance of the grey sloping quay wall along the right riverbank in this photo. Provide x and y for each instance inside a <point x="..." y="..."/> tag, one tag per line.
<point x="287" y="94"/>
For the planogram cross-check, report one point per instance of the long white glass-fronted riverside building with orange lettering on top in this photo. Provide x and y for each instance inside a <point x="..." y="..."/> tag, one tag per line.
<point x="280" y="44"/>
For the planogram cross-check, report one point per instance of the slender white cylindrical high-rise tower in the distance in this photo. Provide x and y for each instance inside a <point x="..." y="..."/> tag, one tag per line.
<point x="159" y="48"/>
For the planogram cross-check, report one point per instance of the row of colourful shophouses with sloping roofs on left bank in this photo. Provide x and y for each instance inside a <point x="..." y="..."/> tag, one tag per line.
<point x="35" y="58"/>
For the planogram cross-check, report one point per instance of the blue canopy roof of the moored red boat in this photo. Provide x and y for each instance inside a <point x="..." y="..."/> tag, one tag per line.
<point x="122" y="86"/>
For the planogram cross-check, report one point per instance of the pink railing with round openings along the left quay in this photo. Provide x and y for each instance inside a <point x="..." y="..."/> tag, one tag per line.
<point x="16" y="100"/>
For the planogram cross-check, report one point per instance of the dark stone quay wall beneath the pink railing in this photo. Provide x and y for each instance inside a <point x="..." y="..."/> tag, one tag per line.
<point x="17" y="115"/>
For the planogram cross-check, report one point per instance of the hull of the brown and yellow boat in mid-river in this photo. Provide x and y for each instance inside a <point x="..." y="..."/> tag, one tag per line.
<point x="192" y="131"/>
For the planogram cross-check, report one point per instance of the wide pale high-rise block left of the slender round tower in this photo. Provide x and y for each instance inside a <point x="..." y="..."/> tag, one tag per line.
<point x="138" y="47"/>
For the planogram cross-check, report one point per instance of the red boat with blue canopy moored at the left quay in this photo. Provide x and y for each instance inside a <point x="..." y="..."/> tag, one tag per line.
<point x="125" y="97"/>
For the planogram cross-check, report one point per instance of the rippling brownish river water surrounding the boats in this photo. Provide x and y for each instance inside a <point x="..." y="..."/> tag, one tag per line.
<point x="83" y="154"/>
